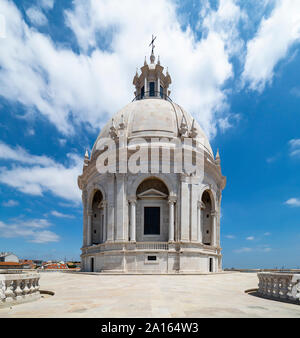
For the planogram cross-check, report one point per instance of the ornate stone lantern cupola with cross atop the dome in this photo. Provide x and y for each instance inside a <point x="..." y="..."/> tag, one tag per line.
<point x="151" y="82"/>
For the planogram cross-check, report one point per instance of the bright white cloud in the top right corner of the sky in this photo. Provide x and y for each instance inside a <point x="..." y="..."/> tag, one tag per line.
<point x="275" y="36"/>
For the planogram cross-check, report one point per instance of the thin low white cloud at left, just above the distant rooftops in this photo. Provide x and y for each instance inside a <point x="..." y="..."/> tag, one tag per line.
<point x="31" y="230"/>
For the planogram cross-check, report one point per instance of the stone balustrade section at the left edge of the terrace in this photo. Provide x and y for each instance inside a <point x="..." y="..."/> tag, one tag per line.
<point x="18" y="288"/>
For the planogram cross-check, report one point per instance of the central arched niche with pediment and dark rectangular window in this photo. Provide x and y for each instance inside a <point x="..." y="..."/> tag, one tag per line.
<point x="152" y="210"/>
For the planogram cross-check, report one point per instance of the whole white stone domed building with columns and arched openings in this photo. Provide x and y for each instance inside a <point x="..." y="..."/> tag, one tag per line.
<point x="153" y="220"/>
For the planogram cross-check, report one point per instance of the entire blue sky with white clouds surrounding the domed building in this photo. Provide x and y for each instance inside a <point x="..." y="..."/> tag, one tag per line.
<point x="66" y="66"/>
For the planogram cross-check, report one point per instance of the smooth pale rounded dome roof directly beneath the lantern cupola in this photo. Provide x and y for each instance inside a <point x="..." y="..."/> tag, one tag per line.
<point x="154" y="118"/>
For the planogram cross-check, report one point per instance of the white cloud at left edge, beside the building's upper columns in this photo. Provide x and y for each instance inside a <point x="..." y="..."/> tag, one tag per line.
<point x="44" y="174"/>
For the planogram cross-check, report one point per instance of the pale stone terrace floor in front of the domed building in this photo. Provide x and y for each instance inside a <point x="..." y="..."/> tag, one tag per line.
<point x="102" y="296"/>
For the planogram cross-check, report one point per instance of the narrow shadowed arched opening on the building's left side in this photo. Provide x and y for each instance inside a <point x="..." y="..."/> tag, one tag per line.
<point x="97" y="218"/>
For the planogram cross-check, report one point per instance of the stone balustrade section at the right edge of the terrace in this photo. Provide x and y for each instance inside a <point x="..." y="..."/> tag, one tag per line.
<point x="282" y="286"/>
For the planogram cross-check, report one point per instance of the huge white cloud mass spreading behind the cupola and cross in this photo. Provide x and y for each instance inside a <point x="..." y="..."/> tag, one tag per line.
<point x="96" y="83"/>
